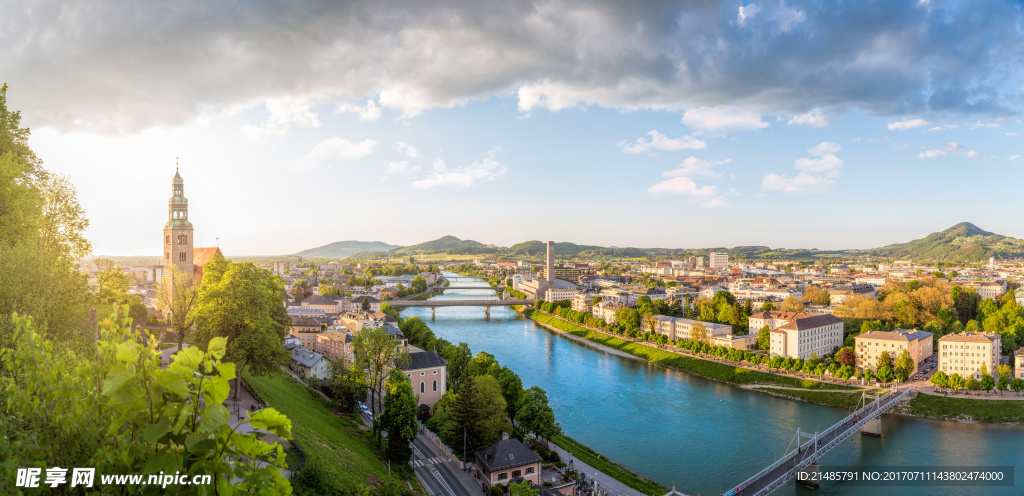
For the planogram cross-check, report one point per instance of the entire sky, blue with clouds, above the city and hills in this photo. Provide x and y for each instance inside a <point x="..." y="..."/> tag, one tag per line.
<point x="793" y="125"/>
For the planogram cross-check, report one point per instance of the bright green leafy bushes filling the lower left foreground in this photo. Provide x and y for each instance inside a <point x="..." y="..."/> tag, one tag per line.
<point x="117" y="411"/>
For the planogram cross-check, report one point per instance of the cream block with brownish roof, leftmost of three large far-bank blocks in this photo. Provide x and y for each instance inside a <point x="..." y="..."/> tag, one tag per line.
<point x="804" y="337"/>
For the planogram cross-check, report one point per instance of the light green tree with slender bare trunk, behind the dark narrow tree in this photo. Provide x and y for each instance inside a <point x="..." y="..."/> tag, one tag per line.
<point x="376" y="353"/>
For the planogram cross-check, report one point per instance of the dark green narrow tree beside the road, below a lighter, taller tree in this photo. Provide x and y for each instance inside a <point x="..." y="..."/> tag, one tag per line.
<point x="399" y="418"/>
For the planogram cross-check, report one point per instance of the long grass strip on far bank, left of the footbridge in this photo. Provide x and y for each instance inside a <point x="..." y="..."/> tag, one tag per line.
<point x="705" y="368"/>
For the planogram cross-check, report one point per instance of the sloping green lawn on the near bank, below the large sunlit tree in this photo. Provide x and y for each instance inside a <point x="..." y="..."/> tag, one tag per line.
<point x="339" y="446"/>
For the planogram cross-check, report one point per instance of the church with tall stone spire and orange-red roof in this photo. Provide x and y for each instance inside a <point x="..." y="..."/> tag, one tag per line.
<point x="179" y="237"/>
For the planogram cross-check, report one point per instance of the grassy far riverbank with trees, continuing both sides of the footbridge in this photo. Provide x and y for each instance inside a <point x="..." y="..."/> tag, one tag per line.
<point x="837" y="396"/>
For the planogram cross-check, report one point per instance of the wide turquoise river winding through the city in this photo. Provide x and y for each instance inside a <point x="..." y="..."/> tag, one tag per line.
<point x="702" y="436"/>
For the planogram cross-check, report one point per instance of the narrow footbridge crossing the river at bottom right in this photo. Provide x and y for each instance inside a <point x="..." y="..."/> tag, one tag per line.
<point x="804" y="461"/>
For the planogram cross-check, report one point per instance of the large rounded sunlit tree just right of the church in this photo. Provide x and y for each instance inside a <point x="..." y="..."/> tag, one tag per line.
<point x="242" y="304"/>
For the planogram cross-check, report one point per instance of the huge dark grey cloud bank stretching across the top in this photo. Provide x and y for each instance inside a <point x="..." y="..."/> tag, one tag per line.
<point x="111" y="70"/>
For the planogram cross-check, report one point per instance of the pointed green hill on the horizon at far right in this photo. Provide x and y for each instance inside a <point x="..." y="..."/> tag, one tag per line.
<point x="964" y="242"/>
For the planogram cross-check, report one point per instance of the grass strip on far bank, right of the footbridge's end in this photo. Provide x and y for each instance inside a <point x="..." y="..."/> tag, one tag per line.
<point x="966" y="409"/>
